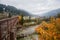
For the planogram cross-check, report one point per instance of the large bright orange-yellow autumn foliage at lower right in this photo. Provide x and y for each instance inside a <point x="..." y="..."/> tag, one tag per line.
<point x="49" y="31"/>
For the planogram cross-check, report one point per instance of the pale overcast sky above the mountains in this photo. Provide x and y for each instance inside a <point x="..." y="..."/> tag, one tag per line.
<point x="34" y="6"/>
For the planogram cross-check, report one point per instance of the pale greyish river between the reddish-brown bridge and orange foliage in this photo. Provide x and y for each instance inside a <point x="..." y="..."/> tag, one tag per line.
<point x="30" y="32"/>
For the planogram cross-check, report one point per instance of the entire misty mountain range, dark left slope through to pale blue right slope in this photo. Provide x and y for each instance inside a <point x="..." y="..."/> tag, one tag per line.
<point x="15" y="11"/>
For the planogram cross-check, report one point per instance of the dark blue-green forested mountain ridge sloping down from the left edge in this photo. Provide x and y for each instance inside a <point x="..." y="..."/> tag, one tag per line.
<point x="13" y="10"/>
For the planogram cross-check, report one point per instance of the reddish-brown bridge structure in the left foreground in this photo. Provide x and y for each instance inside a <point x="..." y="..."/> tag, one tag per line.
<point x="8" y="28"/>
